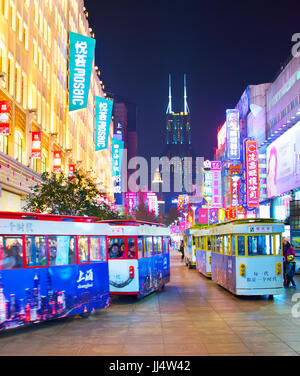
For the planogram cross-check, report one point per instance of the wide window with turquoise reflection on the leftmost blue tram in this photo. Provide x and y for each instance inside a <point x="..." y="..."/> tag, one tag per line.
<point x="61" y="250"/>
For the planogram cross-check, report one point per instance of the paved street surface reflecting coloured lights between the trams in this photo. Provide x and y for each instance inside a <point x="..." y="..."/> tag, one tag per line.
<point x="191" y="316"/>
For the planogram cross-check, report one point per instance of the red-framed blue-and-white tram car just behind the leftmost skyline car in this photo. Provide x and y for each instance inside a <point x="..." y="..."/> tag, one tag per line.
<point x="138" y="257"/>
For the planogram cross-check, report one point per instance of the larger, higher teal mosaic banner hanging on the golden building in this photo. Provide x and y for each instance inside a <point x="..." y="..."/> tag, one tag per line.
<point x="81" y="55"/>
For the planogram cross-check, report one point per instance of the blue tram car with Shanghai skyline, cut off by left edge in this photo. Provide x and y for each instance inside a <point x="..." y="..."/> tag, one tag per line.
<point x="51" y="267"/>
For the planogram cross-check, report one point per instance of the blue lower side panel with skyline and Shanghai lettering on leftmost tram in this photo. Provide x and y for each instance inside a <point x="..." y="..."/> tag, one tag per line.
<point x="51" y="293"/>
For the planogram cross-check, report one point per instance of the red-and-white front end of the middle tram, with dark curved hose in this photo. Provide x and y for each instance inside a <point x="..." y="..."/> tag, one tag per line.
<point x="123" y="264"/>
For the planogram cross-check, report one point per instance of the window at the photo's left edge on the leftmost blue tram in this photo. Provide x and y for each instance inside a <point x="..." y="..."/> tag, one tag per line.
<point x="11" y="252"/>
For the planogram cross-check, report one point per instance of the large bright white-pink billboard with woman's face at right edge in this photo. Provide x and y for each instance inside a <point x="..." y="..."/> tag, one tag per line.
<point x="283" y="157"/>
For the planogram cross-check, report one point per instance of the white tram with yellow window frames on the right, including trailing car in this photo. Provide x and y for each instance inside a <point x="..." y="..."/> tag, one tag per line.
<point x="244" y="256"/>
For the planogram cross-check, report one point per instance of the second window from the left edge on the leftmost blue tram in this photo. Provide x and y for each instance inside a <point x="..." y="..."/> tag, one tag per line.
<point x="36" y="251"/>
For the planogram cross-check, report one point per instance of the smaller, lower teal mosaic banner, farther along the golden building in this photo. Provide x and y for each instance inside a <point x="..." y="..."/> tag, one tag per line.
<point x="103" y="113"/>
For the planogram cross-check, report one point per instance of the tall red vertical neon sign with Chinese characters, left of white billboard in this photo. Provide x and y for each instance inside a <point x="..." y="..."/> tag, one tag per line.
<point x="252" y="173"/>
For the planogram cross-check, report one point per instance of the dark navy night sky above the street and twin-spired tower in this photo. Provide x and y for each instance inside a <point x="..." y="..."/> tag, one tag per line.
<point x="222" y="46"/>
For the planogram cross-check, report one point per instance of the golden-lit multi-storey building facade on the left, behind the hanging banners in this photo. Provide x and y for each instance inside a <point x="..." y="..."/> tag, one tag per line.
<point x="34" y="85"/>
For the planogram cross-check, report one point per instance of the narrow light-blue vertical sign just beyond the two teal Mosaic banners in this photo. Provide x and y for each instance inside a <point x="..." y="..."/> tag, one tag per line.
<point x="117" y="155"/>
